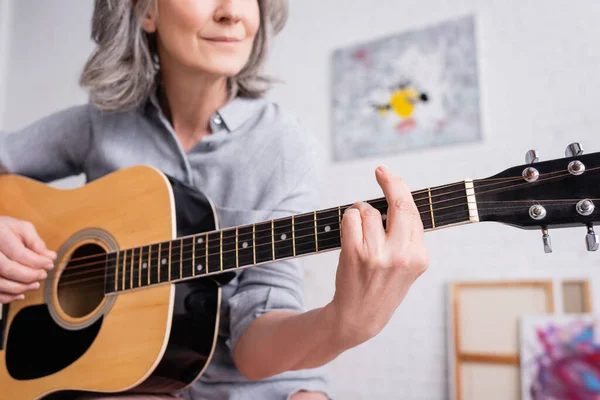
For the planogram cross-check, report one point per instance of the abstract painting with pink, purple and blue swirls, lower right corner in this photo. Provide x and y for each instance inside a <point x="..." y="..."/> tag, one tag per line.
<point x="560" y="357"/>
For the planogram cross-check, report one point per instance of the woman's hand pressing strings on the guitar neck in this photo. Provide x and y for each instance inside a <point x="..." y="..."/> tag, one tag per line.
<point x="376" y="267"/>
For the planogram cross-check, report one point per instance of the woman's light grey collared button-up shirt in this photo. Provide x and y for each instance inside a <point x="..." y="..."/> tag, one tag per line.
<point x="258" y="164"/>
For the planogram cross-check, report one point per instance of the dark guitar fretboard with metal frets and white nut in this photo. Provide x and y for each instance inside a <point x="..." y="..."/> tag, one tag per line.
<point x="250" y="245"/>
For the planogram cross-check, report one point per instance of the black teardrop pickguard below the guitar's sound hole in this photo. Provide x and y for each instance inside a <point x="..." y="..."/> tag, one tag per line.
<point x="38" y="347"/>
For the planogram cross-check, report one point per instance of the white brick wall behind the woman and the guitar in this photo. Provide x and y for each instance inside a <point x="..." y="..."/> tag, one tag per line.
<point x="539" y="84"/>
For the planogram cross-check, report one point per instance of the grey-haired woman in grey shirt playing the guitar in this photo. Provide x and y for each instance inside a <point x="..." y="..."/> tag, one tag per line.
<point x="176" y="85"/>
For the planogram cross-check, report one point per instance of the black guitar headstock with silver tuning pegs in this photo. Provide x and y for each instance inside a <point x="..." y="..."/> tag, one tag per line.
<point x="558" y="193"/>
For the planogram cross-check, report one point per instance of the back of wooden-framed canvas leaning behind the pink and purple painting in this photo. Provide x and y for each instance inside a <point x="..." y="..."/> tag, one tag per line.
<point x="484" y="340"/>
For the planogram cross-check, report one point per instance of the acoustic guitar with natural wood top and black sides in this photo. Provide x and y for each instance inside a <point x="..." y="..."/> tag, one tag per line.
<point x="137" y="250"/>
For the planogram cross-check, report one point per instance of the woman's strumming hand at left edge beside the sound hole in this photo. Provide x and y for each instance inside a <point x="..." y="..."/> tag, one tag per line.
<point x="24" y="259"/>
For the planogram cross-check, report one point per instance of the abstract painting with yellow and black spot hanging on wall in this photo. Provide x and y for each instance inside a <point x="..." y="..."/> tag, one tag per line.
<point x="407" y="91"/>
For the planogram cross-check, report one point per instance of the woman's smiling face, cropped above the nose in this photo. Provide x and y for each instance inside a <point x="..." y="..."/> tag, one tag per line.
<point x="211" y="36"/>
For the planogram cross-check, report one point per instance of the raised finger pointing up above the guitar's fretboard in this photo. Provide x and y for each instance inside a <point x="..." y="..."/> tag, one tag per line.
<point x="400" y="204"/>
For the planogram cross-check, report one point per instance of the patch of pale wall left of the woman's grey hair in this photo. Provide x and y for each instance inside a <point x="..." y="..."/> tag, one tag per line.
<point x="49" y="43"/>
